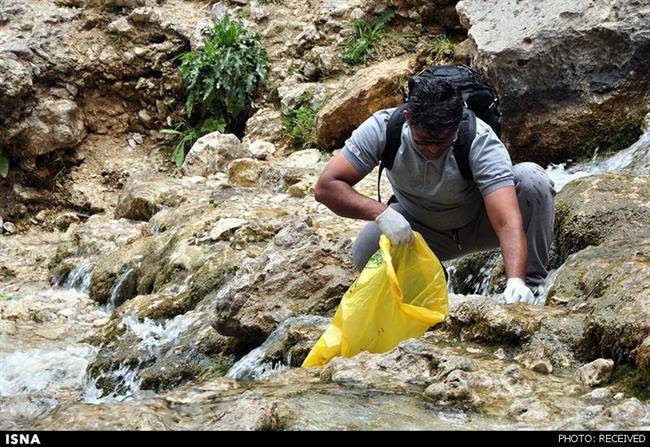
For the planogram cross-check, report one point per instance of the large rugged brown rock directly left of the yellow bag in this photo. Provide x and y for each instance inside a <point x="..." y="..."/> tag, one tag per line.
<point x="298" y="272"/>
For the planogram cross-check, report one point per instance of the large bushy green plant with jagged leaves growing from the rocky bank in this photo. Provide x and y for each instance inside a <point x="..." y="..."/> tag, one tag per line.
<point x="223" y="78"/>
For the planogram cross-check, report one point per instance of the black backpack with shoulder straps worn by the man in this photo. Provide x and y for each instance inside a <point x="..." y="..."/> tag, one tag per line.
<point x="480" y="100"/>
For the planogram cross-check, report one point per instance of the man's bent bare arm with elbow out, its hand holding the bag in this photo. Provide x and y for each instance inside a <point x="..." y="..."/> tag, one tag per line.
<point x="334" y="189"/>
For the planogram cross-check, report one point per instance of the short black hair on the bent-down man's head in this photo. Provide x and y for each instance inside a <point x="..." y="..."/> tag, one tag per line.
<point x="435" y="106"/>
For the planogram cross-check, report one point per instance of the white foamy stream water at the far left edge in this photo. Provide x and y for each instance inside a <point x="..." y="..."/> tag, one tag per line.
<point x="36" y="370"/>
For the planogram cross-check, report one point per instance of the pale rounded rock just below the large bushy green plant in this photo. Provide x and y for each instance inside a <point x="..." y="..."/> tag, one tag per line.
<point x="212" y="153"/>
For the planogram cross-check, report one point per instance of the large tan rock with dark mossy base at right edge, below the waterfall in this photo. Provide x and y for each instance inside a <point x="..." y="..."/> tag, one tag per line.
<point x="605" y="285"/>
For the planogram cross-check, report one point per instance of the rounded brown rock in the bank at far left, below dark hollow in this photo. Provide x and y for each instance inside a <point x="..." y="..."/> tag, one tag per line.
<point x="54" y="124"/>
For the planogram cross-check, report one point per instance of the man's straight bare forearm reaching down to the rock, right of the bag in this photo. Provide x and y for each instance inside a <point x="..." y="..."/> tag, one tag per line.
<point x="505" y="216"/>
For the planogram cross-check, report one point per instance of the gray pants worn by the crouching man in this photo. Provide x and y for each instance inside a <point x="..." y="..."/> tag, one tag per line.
<point x="535" y="196"/>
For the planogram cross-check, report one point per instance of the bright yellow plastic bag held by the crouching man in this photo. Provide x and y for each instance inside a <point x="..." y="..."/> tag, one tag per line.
<point x="400" y="293"/>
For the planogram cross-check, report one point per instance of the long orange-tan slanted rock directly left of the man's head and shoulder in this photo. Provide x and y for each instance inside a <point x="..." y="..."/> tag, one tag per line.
<point x="371" y="89"/>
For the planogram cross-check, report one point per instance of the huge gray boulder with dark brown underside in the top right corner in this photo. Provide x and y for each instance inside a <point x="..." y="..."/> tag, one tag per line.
<point x="560" y="103"/>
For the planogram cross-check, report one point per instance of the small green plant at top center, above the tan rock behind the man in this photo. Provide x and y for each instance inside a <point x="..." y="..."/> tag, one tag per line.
<point x="358" y="48"/>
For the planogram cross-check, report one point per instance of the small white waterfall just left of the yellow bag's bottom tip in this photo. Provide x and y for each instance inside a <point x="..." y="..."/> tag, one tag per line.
<point x="257" y="364"/>
